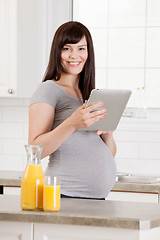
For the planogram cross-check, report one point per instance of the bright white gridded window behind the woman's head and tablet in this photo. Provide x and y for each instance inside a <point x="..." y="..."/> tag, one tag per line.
<point x="126" y="37"/>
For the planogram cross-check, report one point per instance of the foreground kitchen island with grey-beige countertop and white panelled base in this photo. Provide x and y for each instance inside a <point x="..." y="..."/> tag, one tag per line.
<point x="87" y="219"/>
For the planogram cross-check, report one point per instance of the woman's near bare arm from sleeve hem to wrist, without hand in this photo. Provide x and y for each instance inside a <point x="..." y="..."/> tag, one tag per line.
<point x="41" y="117"/>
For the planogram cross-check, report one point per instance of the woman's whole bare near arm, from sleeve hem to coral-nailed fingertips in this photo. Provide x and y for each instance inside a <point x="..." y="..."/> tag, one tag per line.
<point x="41" y="117"/>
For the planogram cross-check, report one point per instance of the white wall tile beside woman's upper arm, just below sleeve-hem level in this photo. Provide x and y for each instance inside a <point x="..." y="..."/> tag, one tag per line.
<point x="14" y="114"/>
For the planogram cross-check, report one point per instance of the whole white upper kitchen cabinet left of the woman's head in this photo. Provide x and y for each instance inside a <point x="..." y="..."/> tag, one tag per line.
<point x="26" y="28"/>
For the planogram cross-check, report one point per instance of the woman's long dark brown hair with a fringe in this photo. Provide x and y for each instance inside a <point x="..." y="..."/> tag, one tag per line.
<point x="72" y="32"/>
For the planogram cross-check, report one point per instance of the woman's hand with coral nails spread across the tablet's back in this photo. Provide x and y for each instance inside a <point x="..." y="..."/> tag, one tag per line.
<point x="84" y="117"/>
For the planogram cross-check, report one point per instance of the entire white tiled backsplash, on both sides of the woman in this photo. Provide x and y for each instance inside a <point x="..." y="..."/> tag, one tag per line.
<point x="138" y="140"/>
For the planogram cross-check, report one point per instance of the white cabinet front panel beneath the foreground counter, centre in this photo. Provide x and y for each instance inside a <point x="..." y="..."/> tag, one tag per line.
<point x="77" y="232"/>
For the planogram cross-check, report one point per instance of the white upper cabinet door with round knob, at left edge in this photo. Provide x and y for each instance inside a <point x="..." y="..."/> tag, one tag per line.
<point x="8" y="47"/>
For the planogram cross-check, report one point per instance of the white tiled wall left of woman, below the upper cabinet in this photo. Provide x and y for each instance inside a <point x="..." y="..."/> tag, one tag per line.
<point x="14" y="134"/>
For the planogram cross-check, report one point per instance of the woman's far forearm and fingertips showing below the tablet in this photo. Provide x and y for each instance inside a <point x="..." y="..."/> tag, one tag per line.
<point x="107" y="137"/>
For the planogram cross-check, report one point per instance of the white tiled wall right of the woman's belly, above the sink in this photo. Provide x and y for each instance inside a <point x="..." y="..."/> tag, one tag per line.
<point x="138" y="145"/>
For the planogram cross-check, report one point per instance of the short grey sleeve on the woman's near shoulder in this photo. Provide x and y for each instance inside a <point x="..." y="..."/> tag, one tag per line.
<point x="46" y="93"/>
